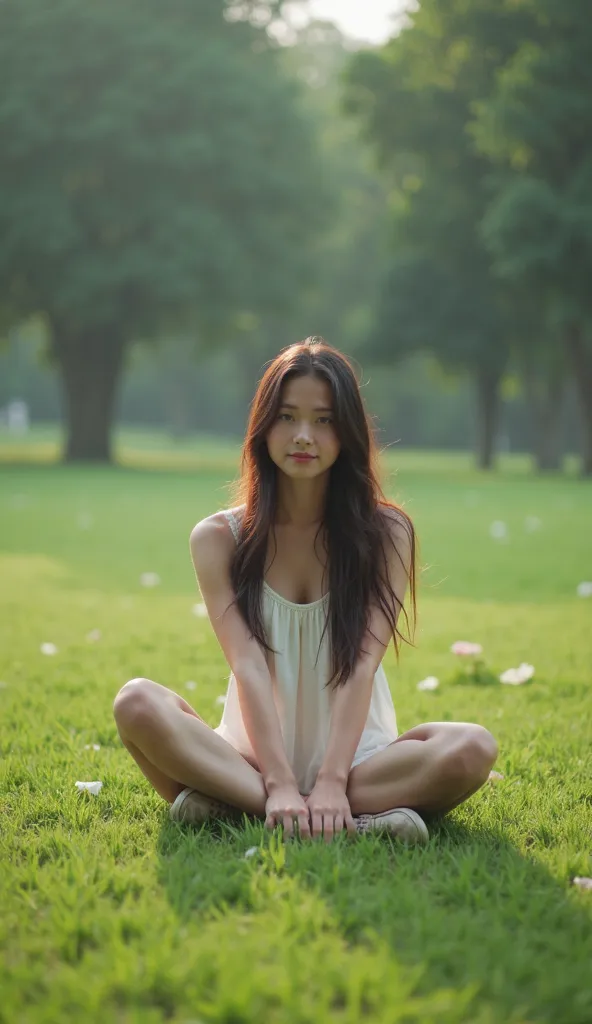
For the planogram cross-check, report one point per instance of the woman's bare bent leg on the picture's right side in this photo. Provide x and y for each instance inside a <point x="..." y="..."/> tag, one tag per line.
<point x="431" y="770"/>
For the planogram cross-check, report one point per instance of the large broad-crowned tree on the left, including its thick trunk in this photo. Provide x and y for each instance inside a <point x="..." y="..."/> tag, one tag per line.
<point x="158" y="175"/>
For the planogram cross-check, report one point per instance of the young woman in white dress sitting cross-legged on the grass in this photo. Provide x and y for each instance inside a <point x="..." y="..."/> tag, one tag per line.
<point x="305" y="580"/>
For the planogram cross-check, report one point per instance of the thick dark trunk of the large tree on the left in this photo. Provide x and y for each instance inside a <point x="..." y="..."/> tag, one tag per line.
<point x="91" y="366"/>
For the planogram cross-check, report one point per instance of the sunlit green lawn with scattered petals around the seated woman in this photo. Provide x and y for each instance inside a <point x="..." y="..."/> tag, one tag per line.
<point x="110" y="913"/>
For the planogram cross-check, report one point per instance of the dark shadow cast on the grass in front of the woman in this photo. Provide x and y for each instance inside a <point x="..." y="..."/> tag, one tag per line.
<point x="469" y="909"/>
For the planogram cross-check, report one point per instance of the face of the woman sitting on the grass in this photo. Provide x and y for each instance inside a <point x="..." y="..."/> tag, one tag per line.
<point x="305" y="426"/>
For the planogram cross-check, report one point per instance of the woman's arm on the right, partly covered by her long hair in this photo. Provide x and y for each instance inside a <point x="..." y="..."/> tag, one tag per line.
<point x="352" y="703"/>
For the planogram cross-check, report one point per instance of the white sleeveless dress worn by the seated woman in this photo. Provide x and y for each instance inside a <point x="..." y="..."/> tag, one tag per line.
<point x="303" y="700"/>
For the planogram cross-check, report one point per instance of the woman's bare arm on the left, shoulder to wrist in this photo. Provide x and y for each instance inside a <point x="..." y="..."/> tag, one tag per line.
<point x="213" y="548"/>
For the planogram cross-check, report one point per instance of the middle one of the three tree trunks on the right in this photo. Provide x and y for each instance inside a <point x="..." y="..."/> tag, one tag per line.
<point x="545" y="398"/>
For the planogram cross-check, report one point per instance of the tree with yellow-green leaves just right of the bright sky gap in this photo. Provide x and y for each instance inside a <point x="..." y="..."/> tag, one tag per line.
<point x="415" y="98"/>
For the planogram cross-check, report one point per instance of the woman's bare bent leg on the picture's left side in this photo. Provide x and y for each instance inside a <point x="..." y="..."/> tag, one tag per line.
<point x="176" y="749"/>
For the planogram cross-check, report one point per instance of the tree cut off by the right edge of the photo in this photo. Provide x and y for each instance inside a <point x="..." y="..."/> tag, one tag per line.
<point x="537" y="126"/>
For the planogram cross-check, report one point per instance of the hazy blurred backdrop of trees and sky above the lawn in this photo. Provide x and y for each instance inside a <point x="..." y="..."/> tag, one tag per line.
<point x="187" y="188"/>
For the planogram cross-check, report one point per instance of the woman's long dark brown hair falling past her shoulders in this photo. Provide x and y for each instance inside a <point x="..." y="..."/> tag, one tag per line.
<point x="356" y="516"/>
